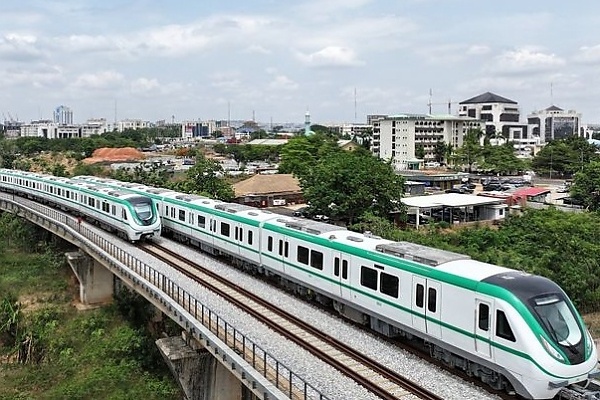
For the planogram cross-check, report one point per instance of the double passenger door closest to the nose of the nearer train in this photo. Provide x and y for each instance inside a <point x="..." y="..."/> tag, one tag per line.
<point x="426" y="306"/>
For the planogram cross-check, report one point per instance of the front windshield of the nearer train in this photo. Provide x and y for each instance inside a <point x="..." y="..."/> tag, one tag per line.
<point x="558" y="319"/>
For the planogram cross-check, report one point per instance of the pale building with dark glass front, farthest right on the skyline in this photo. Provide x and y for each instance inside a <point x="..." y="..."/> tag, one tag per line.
<point x="555" y="123"/>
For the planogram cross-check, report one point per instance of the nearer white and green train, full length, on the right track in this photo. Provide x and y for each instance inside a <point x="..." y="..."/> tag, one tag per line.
<point x="516" y="331"/>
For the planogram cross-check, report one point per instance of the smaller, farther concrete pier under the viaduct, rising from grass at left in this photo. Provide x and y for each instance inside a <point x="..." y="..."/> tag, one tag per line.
<point x="95" y="281"/>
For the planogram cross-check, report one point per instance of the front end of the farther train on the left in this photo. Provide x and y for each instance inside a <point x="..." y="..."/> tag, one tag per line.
<point x="144" y="221"/>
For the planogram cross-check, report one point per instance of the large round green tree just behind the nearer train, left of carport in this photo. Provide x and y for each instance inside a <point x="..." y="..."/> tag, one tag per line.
<point x="345" y="185"/>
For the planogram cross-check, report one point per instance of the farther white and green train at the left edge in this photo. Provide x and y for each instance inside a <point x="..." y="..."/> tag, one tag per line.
<point x="133" y="217"/>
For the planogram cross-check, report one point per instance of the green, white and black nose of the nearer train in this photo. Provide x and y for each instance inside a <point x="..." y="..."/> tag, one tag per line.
<point x="561" y="350"/>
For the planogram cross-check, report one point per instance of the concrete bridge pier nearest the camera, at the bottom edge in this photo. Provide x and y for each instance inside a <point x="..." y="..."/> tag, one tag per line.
<point x="198" y="373"/>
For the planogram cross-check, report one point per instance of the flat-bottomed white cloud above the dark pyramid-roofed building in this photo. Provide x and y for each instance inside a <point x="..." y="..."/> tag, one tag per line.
<point x="525" y="60"/>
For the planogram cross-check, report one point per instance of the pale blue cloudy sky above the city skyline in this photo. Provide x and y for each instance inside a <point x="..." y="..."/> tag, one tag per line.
<point x="271" y="60"/>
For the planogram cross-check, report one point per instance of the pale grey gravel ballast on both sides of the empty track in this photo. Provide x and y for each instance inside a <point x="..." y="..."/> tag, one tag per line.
<point x="324" y="378"/>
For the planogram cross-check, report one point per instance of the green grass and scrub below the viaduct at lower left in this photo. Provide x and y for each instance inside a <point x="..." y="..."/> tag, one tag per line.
<point x="93" y="354"/>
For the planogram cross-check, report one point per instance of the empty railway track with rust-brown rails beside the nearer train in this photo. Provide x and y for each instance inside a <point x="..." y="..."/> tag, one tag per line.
<point x="375" y="377"/>
